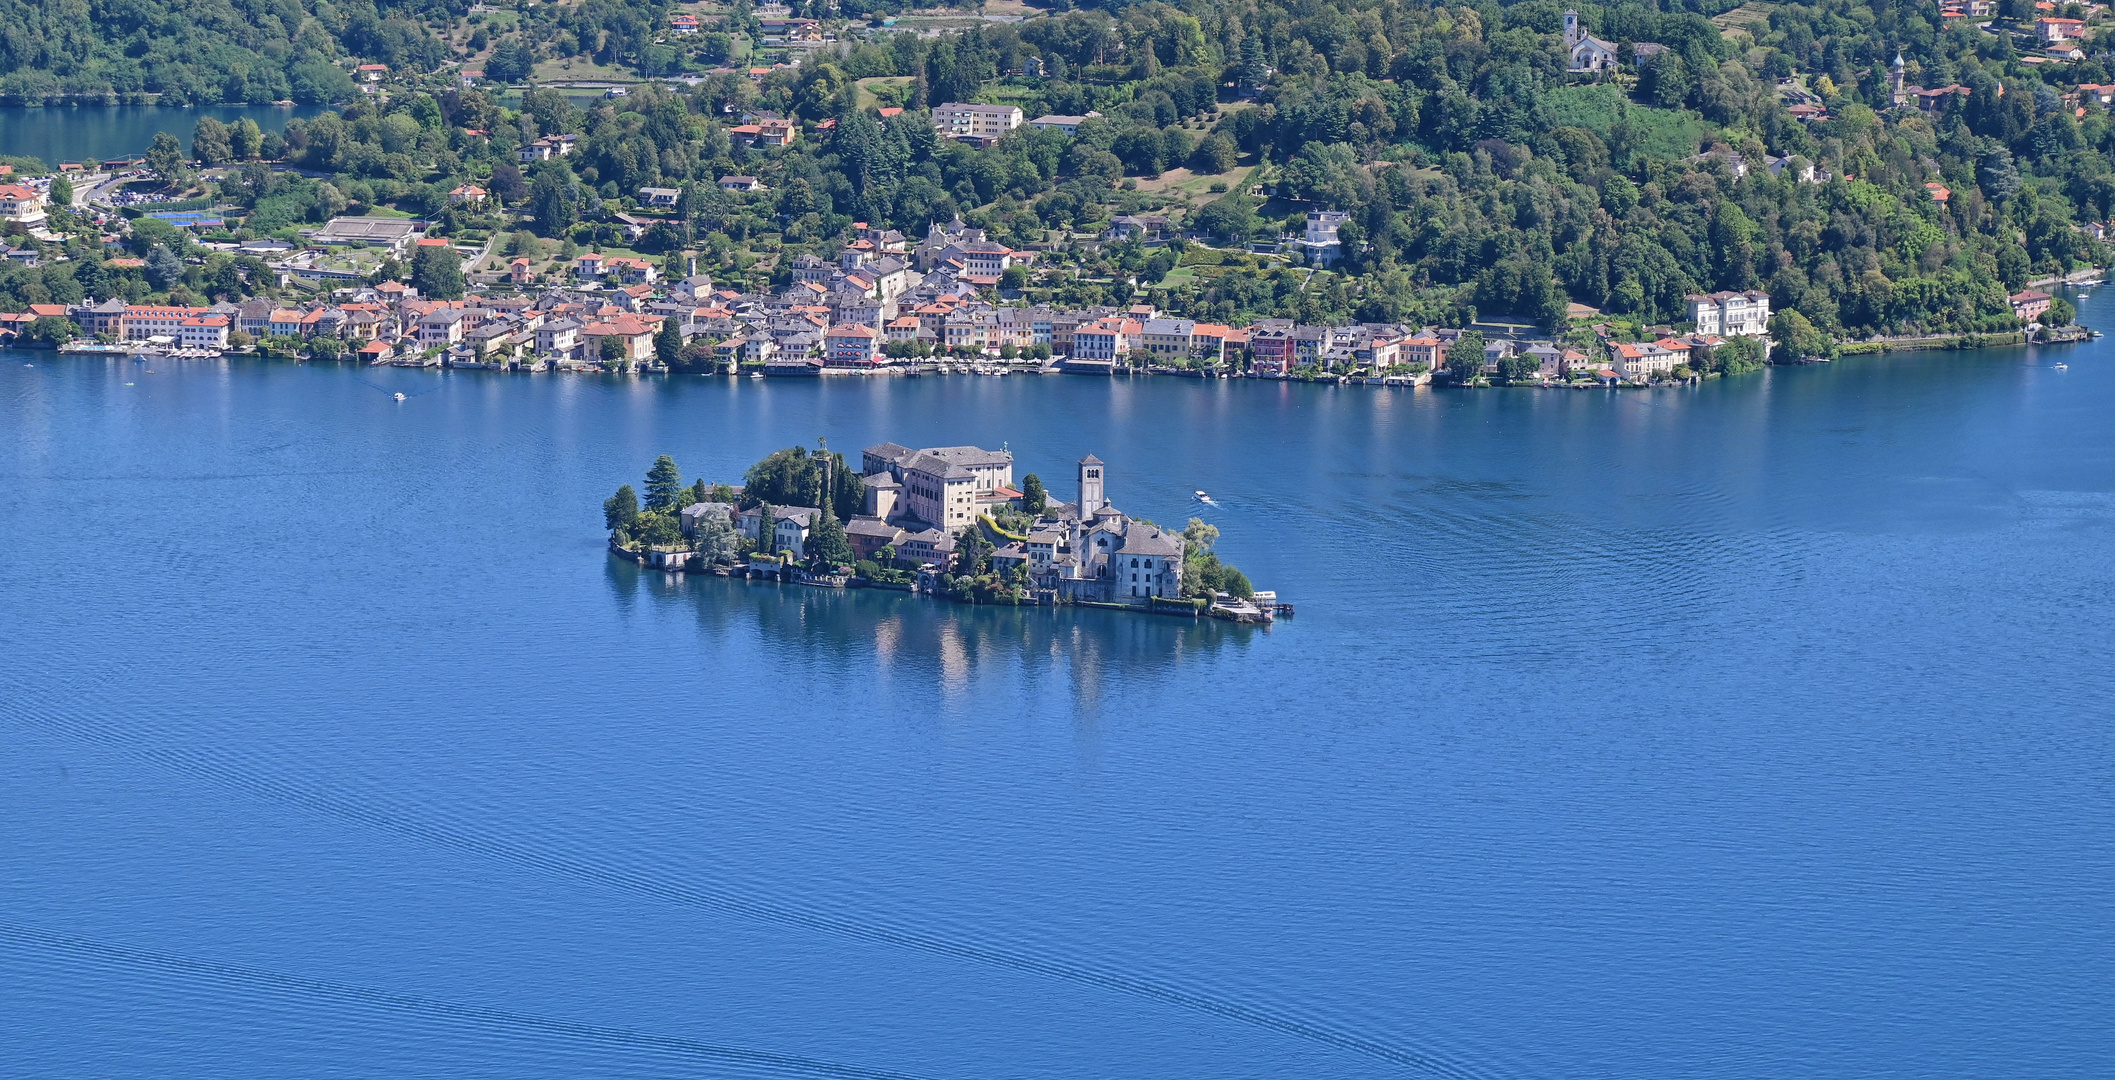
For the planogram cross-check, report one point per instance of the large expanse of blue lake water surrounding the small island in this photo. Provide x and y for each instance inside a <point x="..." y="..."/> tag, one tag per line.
<point x="1752" y="730"/>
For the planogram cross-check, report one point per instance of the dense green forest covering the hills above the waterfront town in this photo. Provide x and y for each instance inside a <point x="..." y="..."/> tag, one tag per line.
<point x="1477" y="172"/>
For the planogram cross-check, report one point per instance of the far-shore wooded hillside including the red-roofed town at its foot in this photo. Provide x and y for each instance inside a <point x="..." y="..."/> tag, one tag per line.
<point x="1173" y="191"/>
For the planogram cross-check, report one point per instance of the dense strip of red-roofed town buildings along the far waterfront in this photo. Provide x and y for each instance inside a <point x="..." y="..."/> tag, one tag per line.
<point x="883" y="305"/>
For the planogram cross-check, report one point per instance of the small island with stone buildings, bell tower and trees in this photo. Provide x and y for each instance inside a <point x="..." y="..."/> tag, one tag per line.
<point x="944" y="521"/>
